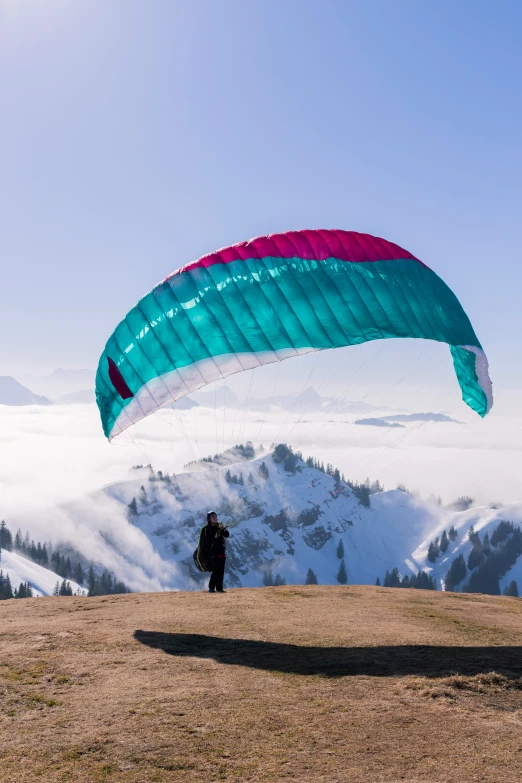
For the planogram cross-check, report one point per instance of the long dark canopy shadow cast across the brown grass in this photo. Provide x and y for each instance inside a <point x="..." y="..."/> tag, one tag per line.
<point x="385" y="661"/>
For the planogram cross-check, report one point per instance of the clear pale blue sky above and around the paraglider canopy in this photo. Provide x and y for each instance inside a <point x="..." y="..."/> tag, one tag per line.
<point x="136" y="136"/>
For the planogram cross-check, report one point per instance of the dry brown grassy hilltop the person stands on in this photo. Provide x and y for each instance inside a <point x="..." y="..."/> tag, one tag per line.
<point x="309" y="684"/>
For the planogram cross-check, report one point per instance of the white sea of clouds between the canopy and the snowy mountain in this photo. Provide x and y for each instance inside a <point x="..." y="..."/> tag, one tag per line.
<point x="52" y="454"/>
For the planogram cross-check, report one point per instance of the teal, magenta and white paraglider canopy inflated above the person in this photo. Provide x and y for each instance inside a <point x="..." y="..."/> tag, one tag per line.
<point x="272" y="298"/>
